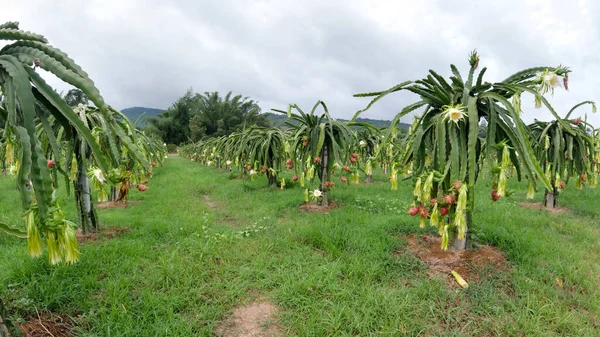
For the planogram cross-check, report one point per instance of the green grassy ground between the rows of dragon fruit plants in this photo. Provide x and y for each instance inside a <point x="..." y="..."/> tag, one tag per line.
<point x="202" y="243"/>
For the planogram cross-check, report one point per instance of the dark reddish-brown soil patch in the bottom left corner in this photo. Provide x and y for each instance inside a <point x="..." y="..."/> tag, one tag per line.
<point x="46" y="325"/>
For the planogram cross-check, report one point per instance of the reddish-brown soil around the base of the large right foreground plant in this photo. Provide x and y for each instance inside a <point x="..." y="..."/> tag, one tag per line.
<point x="468" y="263"/>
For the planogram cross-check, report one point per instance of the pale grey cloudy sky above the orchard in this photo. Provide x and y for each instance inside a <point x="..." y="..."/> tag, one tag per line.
<point x="148" y="53"/>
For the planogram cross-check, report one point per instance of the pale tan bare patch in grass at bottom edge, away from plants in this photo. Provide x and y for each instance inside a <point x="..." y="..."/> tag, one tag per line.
<point x="256" y="319"/>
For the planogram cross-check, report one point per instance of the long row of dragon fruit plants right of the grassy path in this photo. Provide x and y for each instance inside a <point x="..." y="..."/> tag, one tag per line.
<point x="462" y="130"/>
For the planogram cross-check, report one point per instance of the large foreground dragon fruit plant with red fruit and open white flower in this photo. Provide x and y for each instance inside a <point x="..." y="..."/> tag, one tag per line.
<point x="445" y="151"/>
